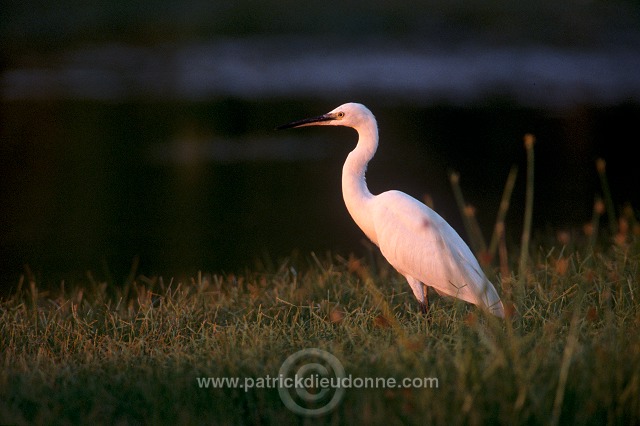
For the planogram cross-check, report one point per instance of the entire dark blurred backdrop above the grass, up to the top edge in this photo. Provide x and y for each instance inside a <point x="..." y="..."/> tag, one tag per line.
<point x="146" y="131"/>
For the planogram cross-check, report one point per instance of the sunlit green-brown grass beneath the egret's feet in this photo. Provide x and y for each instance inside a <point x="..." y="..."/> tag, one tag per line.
<point x="96" y="352"/>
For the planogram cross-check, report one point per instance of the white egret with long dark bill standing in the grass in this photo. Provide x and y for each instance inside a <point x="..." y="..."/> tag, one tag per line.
<point x="413" y="238"/>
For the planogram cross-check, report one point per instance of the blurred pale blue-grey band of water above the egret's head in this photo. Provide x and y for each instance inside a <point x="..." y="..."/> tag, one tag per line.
<point x="259" y="68"/>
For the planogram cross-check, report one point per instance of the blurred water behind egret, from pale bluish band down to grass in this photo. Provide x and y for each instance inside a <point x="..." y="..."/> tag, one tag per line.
<point x="169" y="153"/>
